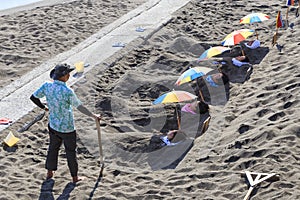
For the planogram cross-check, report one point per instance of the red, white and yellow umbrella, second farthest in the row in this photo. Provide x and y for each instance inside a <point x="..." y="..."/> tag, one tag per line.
<point x="236" y="37"/>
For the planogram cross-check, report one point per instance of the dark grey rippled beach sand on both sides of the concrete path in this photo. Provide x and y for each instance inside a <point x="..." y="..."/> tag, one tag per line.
<point x="257" y="129"/>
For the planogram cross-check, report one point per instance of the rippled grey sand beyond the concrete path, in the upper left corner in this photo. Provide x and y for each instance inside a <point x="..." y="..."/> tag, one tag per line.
<point x="29" y="38"/>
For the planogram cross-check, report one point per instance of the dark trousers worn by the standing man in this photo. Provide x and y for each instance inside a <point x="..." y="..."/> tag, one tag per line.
<point x="56" y="139"/>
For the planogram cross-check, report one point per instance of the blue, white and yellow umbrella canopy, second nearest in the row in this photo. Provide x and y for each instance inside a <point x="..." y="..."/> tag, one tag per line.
<point x="191" y="74"/>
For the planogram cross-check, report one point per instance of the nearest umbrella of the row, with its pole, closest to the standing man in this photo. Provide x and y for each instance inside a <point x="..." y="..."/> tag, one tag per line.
<point x="175" y="96"/>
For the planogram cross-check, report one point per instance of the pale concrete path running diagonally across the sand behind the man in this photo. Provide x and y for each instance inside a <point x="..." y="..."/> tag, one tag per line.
<point x="14" y="98"/>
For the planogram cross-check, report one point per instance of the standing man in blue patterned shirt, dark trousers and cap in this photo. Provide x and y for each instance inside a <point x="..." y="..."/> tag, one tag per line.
<point x="60" y="99"/>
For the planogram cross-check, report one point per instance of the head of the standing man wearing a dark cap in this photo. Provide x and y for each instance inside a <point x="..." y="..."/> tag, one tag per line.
<point x="61" y="72"/>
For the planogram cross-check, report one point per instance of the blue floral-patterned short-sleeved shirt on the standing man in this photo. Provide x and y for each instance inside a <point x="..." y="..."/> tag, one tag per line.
<point x="60" y="99"/>
